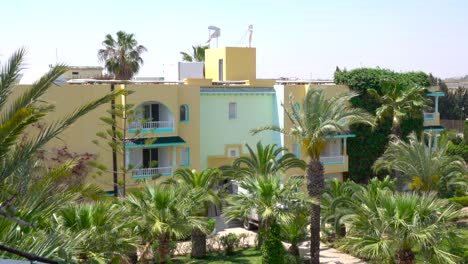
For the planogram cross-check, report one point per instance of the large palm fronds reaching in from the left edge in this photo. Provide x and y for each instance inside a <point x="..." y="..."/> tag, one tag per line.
<point x="29" y="193"/>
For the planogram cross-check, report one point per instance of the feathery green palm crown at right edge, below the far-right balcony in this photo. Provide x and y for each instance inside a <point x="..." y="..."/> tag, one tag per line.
<point x="426" y="167"/>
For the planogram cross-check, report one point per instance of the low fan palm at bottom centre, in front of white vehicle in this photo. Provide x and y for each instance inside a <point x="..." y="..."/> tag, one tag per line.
<point x="267" y="197"/>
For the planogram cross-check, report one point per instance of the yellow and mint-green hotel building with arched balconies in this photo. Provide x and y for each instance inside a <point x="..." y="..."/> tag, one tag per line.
<point x="197" y="123"/>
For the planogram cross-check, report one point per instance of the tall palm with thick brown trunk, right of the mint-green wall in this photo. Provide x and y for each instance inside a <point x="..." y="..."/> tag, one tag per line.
<point x="311" y="124"/>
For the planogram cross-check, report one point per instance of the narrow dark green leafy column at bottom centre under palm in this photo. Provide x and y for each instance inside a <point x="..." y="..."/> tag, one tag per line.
<point x="272" y="249"/>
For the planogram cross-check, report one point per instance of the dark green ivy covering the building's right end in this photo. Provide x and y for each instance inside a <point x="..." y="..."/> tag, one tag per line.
<point x="369" y="144"/>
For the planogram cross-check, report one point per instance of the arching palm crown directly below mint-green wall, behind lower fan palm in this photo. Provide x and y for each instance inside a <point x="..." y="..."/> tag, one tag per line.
<point x="266" y="160"/>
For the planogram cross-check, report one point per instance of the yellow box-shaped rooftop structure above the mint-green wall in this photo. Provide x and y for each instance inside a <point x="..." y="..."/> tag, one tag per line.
<point x="238" y="63"/>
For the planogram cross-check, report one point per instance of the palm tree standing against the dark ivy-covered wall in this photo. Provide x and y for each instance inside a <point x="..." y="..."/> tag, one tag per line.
<point x="399" y="101"/>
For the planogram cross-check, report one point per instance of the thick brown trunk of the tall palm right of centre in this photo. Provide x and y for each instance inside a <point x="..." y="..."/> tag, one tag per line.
<point x="315" y="185"/>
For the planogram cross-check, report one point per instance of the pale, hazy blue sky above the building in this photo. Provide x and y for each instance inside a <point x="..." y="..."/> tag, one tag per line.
<point x="304" y="39"/>
